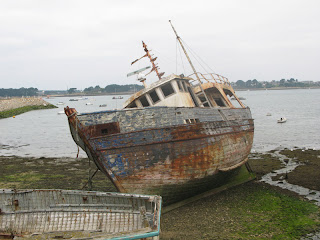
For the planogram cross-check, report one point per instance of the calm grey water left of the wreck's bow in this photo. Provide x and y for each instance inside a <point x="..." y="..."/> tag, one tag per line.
<point x="45" y="133"/>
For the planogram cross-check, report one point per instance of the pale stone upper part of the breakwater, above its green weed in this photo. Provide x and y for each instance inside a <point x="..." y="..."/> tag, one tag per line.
<point x="12" y="103"/>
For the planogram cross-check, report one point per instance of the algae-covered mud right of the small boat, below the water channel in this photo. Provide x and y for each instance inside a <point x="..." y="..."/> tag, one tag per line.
<point x="250" y="211"/>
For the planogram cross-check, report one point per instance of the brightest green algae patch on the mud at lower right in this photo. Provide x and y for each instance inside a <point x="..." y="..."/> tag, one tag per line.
<point x="267" y="213"/>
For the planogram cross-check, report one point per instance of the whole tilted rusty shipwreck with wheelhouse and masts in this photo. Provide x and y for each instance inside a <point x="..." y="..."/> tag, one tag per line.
<point x="177" y="137"/>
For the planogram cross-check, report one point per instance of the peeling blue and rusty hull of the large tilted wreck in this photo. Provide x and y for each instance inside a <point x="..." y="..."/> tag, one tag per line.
<point x="175" y="152"/>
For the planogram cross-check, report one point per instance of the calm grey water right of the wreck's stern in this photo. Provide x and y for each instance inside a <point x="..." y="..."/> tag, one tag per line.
<point x="301" y="107"/>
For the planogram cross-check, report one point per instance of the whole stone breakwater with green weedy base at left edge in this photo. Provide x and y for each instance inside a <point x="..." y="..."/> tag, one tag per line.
<point x="14" y="106"/>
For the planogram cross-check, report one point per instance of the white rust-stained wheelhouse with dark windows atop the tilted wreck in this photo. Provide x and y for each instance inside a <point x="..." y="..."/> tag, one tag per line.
<point x="178" y="91"/>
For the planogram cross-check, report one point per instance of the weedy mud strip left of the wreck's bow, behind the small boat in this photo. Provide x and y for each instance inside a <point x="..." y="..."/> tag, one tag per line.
<point x="49" y="173"/>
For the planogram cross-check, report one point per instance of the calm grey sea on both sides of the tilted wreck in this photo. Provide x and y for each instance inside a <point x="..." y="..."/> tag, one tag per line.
<point x="45" y="133"/>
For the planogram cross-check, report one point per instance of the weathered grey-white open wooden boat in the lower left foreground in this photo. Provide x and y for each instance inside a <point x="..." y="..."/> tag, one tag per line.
<point x="51" y="214"/>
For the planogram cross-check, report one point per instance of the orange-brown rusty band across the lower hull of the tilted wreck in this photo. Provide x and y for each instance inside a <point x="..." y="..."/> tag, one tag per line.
<point x="198" y="163"/>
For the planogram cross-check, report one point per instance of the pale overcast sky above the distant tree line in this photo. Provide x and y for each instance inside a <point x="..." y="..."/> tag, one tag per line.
<point x="60" y="44"/>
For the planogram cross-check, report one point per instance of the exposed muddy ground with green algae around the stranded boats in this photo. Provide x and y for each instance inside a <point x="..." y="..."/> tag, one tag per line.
<point x="250" y="211"/>
